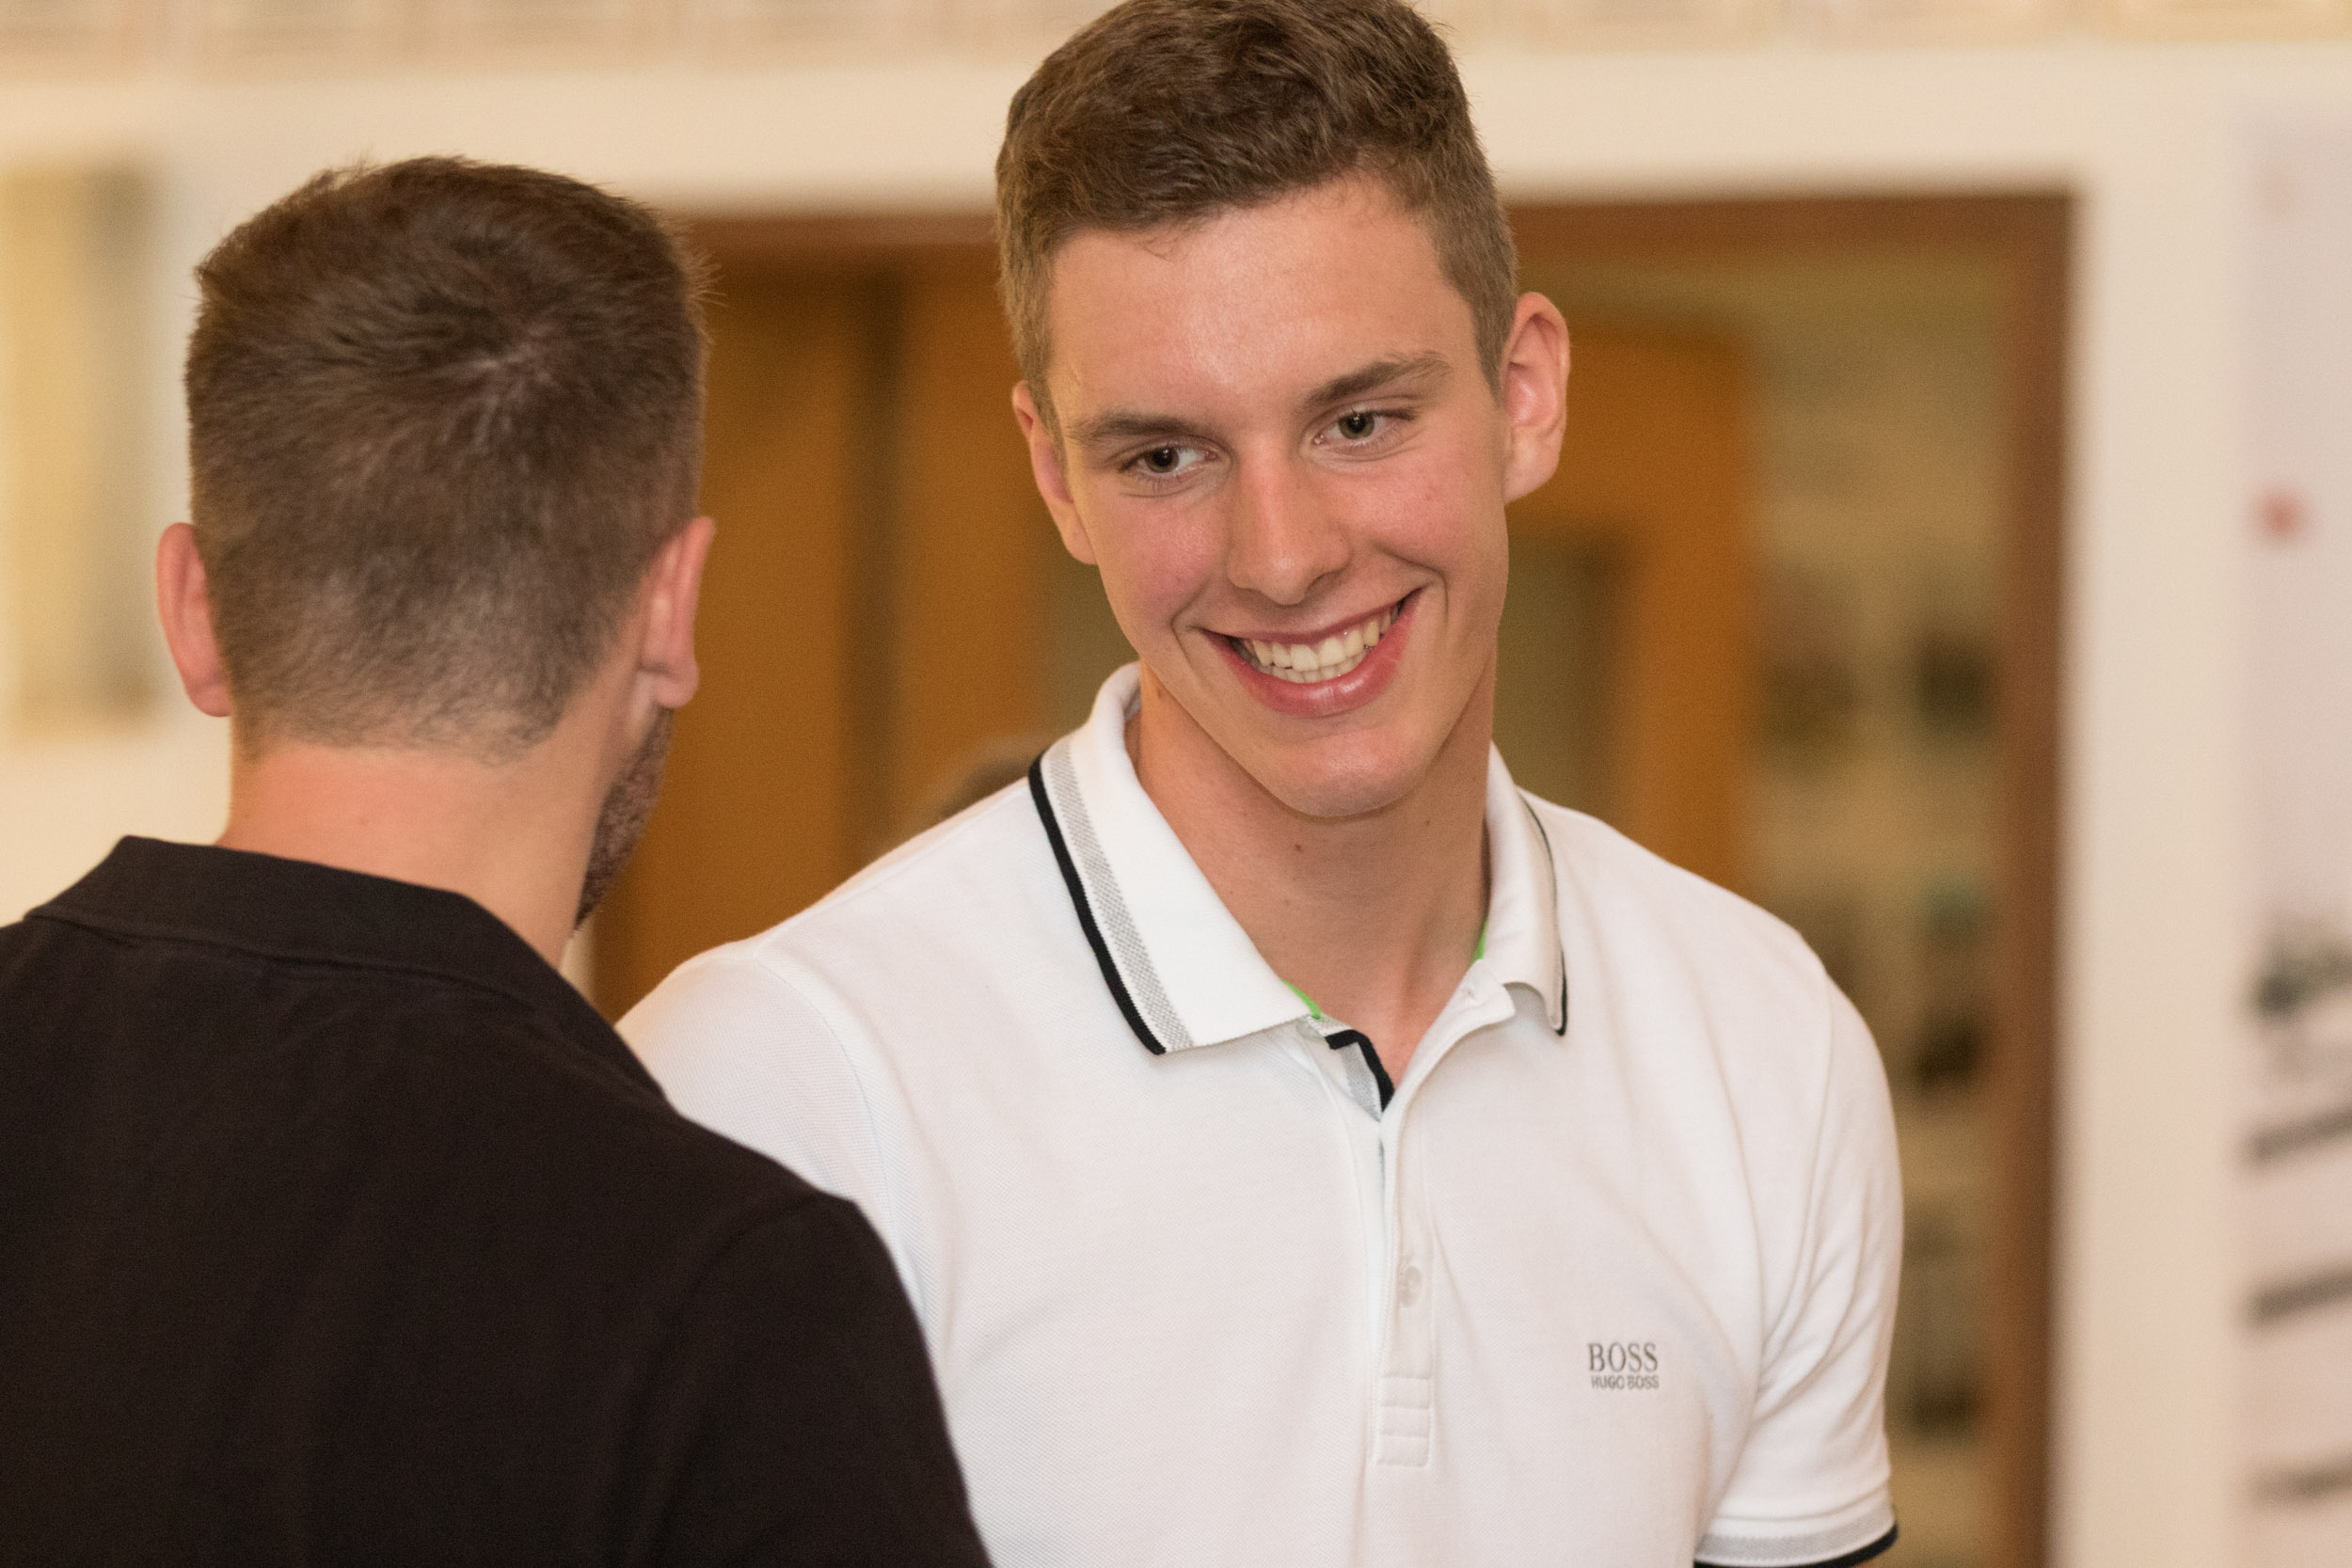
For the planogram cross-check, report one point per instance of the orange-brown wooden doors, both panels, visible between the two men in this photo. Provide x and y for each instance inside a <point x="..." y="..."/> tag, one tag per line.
<point x="874" y="601"/>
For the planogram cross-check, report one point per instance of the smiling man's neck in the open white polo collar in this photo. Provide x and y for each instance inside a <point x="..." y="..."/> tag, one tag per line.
<point x="1372" y="916"/>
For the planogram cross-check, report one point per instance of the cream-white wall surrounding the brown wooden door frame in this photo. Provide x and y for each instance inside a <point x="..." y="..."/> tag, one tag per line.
<point x="2151" y="138"/>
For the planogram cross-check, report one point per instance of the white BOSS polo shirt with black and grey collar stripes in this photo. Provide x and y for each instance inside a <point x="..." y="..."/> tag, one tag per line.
<point x="1605" y="1282"/>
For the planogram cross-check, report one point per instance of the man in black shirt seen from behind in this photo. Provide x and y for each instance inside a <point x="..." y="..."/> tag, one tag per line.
<point x="335" y="1226"/>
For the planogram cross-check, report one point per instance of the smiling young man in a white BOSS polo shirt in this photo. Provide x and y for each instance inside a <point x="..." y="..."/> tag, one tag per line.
<point x="1304" y="1148"/>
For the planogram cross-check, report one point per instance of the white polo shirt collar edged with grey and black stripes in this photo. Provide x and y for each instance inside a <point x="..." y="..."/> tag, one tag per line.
<point x="1172" y="956"/>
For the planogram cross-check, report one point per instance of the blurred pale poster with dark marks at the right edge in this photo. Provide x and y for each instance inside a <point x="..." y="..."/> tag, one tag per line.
<point x="2299" y="704"/>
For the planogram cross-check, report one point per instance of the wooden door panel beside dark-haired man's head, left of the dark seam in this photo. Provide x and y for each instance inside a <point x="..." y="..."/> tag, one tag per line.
<point x="763" y="805"/>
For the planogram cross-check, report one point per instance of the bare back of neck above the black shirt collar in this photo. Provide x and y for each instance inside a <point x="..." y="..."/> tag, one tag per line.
<point x="514" y="836"/>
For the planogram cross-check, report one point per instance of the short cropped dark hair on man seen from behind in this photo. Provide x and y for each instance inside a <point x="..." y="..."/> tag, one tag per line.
<point x="441" y="417"/>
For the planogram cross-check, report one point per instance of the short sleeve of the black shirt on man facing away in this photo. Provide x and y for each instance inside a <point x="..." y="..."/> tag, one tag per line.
<point x="794" y="1419"/>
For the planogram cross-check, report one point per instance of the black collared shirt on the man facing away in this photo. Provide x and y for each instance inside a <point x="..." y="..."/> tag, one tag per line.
<point x="338" y="1228"/>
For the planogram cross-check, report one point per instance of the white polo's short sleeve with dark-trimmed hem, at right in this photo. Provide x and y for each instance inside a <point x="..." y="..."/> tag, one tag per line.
<point x="1810" y="1485"/>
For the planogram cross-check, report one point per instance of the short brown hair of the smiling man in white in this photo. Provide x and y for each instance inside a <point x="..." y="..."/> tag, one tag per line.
<point x="1172" y="112"/>
